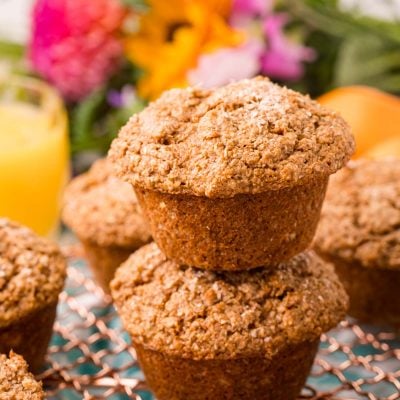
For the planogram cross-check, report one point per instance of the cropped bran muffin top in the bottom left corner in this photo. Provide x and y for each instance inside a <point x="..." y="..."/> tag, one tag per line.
<point x="16" y="382"/>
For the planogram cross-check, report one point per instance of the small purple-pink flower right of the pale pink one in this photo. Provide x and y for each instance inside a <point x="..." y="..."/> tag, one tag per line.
<point x="283" y="59"/>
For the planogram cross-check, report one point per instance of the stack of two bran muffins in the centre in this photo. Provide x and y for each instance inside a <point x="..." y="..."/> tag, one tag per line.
<point x="232" y="181"/>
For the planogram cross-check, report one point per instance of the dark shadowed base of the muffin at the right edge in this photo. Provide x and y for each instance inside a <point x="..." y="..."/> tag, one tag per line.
<point x="373" y="292"/>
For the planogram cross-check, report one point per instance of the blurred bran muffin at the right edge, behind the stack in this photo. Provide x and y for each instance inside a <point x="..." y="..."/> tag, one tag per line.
<point x="360" y="233"/>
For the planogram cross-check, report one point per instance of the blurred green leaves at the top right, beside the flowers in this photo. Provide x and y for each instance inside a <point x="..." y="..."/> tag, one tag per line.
<point x="352" y="48"/>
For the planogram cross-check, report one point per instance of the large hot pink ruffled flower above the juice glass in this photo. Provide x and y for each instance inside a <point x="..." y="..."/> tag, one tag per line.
<point x="74" y="43"/>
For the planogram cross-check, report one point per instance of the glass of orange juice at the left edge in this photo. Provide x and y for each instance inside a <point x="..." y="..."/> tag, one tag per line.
<point x="34" y="150"/>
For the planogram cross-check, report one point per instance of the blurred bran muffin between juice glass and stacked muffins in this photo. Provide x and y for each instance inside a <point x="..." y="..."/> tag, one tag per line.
<point x="104" y="214"/>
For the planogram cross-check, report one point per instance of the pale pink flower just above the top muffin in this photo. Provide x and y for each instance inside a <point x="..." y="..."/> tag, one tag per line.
<point x="227" y="65"/>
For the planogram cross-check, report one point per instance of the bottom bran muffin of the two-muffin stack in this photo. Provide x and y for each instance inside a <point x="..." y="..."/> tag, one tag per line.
<point x="243" y="335"/>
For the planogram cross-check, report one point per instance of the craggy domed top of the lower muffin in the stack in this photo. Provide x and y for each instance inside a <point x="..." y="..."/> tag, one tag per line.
<point x="200" y="314"/>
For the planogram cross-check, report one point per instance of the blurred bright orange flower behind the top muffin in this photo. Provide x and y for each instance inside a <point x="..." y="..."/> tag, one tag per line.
<point x="173" y="35"/>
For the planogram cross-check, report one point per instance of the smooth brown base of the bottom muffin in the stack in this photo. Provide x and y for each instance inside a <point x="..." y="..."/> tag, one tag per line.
<point x="174" y="378"/>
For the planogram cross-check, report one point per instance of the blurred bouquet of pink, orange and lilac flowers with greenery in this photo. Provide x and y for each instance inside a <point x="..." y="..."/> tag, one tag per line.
<point x="108" y="58"/>
